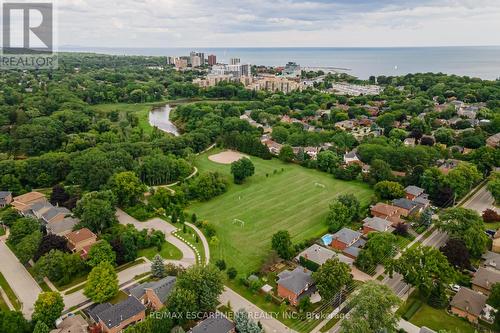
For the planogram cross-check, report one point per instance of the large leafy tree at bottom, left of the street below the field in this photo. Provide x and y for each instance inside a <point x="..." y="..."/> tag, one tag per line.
<point x="206" y="284"/>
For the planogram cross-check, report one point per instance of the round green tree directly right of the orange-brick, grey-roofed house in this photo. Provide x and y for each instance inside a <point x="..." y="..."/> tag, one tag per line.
<point x="331" y="277"/>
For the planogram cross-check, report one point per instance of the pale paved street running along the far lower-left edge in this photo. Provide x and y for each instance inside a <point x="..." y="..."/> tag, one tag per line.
<point x="23" y="284"/>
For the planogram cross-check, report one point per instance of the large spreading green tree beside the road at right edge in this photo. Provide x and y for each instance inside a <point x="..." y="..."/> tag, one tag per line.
<point x="464" y="224"/>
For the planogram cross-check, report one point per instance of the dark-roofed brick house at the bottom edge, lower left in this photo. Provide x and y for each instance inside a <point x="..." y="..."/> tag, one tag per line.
<point x="115" y="318"/>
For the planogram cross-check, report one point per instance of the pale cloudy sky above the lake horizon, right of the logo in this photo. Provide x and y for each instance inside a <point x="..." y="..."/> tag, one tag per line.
<point x="277" y="23"/>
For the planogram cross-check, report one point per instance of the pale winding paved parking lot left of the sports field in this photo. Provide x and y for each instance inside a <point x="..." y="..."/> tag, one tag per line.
<point x="188" y="255"/>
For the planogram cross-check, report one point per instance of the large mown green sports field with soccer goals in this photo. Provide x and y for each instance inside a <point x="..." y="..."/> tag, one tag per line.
<point x="285" y="200"/>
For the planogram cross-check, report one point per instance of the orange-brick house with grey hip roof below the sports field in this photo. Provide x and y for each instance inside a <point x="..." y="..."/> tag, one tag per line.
<point x="293" y="285"/>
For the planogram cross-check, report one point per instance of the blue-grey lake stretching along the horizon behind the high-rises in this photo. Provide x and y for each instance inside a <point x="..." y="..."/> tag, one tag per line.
<point x="476" y="61"/>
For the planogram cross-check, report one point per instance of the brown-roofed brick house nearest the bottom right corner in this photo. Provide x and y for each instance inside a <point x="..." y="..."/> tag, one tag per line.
<point x="468" y="304"/>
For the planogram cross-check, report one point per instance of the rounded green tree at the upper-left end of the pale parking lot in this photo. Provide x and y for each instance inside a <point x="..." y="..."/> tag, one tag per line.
<point x="127" y="187"/>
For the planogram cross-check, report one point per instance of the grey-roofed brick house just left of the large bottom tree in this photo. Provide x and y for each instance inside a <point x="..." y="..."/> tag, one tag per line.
<point x="154" y="294"/>
